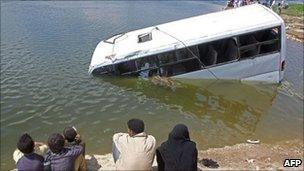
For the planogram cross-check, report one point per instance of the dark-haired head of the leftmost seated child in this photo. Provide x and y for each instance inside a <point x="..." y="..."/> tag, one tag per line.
<point x="26" y="144"/>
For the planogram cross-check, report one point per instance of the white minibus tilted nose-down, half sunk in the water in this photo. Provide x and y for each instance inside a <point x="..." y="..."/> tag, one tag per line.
<point x="246" y="43"/>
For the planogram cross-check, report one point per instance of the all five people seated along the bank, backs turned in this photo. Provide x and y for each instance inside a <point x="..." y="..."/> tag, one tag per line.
<point x="134" y="150"/>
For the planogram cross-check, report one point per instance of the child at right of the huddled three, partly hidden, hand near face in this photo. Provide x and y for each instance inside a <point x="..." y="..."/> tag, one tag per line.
<point x="73" y="138"/>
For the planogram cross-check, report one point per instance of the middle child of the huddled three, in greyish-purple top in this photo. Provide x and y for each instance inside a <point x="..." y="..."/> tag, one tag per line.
<point x="59" y="157"/>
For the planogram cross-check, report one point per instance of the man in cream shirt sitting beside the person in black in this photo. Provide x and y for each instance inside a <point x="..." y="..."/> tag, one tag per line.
<point x="134" y="150"/>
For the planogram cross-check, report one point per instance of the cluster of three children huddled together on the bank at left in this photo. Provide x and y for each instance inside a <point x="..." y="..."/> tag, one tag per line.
<point x="62" y="152"/>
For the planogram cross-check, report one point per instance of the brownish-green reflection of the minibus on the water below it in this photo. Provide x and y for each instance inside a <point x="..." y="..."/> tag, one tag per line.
<point x="205" y="97"/>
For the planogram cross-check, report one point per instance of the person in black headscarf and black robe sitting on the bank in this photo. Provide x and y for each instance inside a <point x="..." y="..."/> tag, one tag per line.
<point x="178" y="152"/>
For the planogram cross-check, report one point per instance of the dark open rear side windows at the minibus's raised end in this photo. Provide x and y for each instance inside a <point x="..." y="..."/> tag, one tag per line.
<point x="240" y="47"/>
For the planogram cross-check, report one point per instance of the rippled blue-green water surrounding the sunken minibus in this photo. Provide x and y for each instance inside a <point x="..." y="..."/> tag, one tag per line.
<point x="46" y="49"/>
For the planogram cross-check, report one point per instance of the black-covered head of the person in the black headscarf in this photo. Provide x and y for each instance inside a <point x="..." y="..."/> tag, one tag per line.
<point x="179" y="132"/>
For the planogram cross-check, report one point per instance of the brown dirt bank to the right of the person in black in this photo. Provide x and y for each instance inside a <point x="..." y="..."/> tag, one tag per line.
<point x="254" y="156"/>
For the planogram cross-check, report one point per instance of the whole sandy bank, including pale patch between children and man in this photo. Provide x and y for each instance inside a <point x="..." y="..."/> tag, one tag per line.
<point x="237" y="157"/>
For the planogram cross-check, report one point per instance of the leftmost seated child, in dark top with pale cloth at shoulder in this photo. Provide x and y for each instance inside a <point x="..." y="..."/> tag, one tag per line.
<point x="27" y="159"/>
